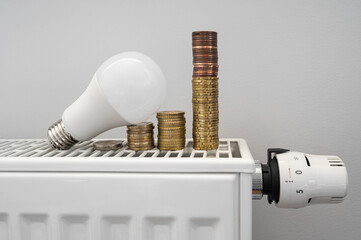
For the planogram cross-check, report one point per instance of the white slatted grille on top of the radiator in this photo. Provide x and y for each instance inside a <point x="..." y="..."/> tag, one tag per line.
<point x="41" y="148"/>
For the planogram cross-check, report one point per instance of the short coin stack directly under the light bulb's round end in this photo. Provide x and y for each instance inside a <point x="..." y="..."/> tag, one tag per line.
<point x="140" y="136"/>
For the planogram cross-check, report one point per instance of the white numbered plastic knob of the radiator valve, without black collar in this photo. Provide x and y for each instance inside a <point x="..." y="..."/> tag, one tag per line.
<point x="310" y="179"/>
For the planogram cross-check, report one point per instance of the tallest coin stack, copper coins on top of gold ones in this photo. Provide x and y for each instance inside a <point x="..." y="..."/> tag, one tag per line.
<point x="205" y="90"/>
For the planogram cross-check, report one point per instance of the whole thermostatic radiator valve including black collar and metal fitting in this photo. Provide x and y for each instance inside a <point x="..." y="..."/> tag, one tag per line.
<point x="294" y="179"/>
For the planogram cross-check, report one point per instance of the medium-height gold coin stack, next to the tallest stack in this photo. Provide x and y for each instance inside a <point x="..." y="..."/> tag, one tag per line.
<point x="171" y="130"/>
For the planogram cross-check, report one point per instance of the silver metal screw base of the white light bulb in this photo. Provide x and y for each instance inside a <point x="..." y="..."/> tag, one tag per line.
<point x="59" y="138"/>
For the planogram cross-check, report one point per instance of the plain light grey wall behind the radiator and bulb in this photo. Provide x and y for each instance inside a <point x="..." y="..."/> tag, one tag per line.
<point x="290" y="76"/>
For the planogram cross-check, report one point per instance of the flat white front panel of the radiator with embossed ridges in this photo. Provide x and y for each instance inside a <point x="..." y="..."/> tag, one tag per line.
<point x="114" y="206"/>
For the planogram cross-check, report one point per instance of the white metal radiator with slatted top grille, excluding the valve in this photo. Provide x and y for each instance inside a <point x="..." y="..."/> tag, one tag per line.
<point x="81" y="194"/>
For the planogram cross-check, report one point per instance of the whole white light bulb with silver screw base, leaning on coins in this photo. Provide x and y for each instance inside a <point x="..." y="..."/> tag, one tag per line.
<point x="127" y="89"/>
